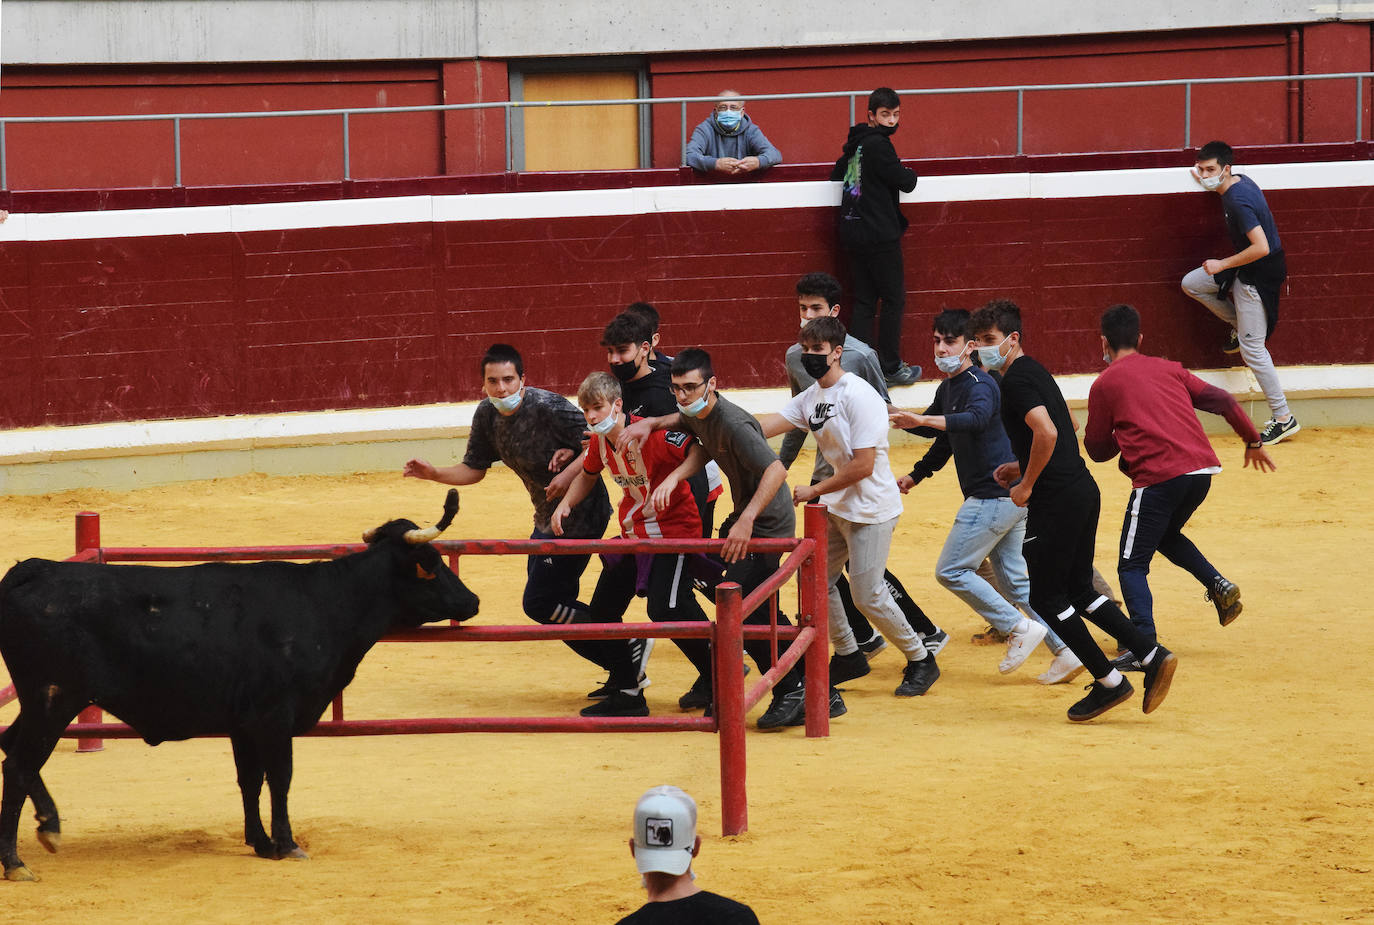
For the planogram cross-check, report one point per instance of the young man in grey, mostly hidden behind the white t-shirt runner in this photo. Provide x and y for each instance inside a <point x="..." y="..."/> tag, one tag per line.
<point x="818" y="296"/>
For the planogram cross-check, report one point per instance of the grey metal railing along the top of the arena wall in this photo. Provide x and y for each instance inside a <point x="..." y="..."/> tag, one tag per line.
<point x="513" y="109"/>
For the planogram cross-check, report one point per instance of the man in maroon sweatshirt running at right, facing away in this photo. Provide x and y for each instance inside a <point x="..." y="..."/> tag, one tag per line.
<point x="1144" y="409"/>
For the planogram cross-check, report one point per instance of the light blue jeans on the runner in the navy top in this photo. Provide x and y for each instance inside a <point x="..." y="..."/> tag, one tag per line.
<point x="991" y="528"/>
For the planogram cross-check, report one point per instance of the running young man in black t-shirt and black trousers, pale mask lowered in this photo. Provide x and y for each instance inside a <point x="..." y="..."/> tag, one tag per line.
<point x="1052" y="482"/>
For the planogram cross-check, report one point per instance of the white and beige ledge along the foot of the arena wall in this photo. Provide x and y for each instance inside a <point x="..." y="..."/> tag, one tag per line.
<point x="139" y="454"/>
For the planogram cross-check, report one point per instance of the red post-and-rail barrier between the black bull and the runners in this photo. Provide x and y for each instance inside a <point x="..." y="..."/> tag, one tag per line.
<point x="807" y="560"/>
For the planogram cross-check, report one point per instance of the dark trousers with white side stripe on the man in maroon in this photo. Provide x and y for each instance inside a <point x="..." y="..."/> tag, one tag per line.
<point x="1155" y="520"/>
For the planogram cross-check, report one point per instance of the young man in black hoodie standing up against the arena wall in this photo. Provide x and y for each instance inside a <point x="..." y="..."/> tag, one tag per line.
<point x="870" y="232"/>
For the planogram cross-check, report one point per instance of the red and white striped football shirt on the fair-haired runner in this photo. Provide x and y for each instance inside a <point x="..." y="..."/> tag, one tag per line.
<point x="640" y="473"/>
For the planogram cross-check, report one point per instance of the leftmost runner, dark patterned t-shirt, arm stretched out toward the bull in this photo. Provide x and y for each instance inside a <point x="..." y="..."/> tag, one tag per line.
<point x="537" y="434"/>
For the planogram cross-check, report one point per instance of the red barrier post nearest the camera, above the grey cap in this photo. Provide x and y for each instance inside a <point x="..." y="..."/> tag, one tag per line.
<point x="730" y="709"/>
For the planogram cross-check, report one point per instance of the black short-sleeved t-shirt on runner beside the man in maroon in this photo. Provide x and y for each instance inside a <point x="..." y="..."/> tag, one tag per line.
<point x="1027" y="386"/>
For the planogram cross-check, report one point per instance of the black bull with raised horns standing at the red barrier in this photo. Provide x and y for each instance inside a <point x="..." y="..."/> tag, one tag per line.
<point x="254" y="651"/>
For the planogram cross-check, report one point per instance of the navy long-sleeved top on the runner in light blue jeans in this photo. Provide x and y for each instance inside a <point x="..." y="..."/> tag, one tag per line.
<point x="973" y="435"/>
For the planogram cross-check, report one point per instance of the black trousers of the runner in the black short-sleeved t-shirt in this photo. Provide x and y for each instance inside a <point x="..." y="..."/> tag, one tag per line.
<point x="1061" y="534"/>
